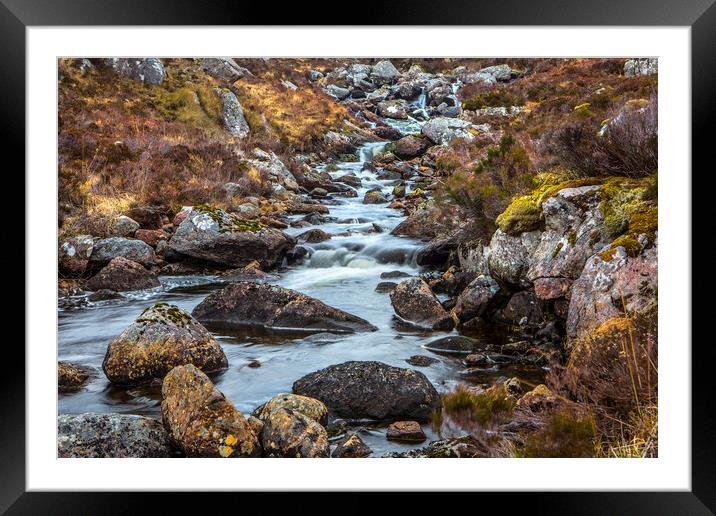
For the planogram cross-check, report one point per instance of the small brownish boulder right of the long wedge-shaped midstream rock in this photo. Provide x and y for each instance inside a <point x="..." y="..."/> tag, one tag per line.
<point x="415" y="303"/>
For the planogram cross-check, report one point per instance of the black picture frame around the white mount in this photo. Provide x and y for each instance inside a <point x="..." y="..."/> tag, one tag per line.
<point x="699" y="15"/>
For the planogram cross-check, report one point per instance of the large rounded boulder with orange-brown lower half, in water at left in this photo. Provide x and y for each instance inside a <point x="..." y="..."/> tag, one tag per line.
<point x="162" y="337"/>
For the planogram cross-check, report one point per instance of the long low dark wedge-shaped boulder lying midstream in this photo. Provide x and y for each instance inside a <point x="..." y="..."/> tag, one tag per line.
<point x="270" y="306"/>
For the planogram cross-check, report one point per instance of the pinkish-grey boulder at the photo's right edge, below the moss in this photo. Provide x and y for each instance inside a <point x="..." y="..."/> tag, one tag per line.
<point x="610" y="286"/>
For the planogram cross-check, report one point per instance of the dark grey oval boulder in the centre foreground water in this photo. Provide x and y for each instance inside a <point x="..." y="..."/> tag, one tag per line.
<point x="371" y="390"/>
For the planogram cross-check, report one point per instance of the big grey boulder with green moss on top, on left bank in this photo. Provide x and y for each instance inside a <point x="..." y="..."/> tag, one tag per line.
<point x="212" y="235"/>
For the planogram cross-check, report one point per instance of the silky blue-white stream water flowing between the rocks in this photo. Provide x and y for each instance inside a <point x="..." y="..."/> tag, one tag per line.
<point x="342" y="272"/>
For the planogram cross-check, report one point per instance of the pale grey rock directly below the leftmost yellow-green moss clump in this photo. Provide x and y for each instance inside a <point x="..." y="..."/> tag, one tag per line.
<point x="509" y="256"/>
